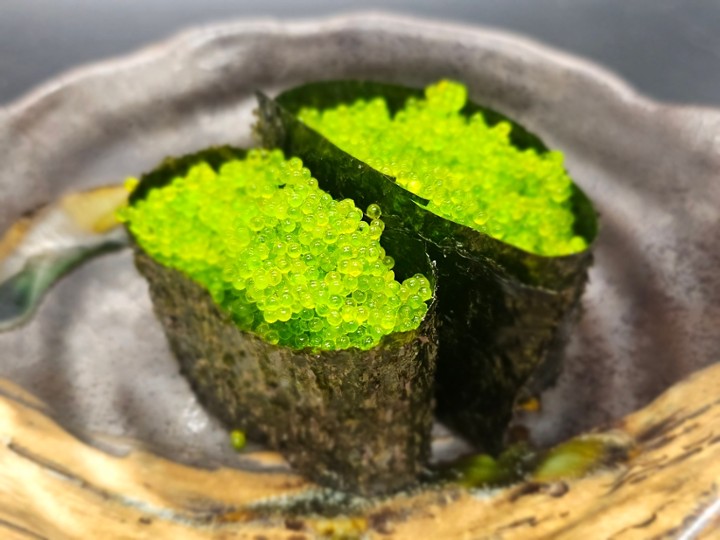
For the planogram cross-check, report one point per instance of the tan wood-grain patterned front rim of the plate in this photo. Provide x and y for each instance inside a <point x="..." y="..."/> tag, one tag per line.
<point x="54" y="486"/>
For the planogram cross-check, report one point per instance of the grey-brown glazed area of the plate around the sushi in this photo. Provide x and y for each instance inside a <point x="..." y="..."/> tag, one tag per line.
<point x="98" y="357"/>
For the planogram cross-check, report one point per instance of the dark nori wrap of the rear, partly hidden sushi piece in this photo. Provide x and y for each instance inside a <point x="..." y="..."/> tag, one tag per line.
<point x="502" y="312"/>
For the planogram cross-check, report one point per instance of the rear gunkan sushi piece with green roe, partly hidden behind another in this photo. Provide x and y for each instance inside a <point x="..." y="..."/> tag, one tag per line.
<point x="495" y="208"/>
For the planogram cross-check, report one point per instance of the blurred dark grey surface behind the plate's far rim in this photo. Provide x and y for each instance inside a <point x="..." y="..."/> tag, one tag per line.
<point x="667" y="49"/>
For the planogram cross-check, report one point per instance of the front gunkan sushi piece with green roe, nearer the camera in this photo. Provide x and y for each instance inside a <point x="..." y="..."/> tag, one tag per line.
<point x="296" y="317"/>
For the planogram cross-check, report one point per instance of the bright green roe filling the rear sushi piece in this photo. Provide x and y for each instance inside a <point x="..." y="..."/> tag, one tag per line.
<point x="471" y="173"/>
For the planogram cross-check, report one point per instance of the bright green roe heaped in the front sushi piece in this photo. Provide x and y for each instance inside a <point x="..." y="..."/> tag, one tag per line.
<point x="281" y="256"/>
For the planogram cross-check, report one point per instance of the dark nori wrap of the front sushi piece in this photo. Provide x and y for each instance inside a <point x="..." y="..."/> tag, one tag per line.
<point x="354" y="420"/>
